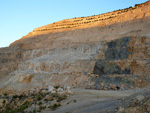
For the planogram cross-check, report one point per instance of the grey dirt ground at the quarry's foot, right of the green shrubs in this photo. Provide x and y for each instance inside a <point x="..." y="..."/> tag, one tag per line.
<point x="100" y="101"/>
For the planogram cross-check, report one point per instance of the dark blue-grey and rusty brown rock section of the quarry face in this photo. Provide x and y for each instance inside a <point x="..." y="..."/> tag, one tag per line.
<point x="126" y="62"/>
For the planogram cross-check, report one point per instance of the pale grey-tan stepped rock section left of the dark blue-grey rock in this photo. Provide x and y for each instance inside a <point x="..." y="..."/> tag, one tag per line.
<point x="60" y="66"/>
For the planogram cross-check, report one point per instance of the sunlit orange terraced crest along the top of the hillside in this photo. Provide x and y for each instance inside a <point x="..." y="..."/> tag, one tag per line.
<point x="138" y="11"/>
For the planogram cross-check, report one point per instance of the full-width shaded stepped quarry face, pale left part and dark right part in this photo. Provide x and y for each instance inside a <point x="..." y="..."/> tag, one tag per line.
<point x="123" y="61"/>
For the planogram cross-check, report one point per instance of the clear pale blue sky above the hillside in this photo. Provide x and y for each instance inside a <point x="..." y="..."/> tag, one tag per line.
<point x="19" y="17"/>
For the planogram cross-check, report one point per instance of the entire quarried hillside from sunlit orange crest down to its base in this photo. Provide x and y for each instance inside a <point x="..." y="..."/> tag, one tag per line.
<point x="114" y="46"/>
